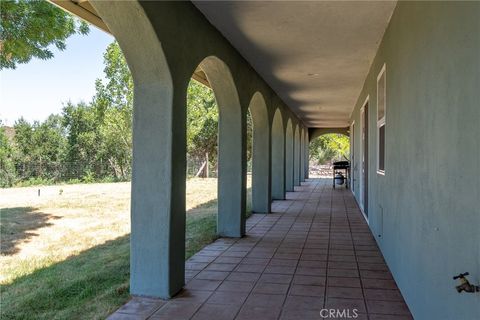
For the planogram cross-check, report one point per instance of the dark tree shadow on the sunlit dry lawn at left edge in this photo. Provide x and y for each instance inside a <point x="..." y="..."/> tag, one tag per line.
<point x="19" y="224"/>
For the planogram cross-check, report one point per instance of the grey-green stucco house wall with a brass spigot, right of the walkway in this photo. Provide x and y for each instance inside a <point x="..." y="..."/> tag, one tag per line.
<point x="424" y="212"/>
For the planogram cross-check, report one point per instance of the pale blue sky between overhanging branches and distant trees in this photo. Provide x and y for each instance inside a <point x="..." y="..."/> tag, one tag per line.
<point x="41" y="87"/>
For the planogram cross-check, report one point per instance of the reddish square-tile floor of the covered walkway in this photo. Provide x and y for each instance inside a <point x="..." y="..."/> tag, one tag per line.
<point x="314" y="252"/>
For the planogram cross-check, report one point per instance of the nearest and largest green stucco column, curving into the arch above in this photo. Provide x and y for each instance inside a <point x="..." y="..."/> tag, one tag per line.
<point x="157" y="241"/>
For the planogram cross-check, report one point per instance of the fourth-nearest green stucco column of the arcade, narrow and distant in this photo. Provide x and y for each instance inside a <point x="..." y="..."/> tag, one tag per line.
<point x="278" y="156"/>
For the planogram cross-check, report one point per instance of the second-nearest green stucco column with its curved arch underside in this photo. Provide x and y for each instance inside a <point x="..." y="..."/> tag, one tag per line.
<point x="231" y="145"/>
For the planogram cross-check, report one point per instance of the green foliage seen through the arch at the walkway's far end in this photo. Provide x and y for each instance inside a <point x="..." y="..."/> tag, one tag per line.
<point x="330" y="147"/>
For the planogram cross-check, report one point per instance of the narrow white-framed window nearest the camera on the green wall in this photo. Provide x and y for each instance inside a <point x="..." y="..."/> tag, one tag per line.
<point x="381" y="109"/>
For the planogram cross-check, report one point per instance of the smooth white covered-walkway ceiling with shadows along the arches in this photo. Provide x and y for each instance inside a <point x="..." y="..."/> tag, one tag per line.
<point x="315" y="54"/>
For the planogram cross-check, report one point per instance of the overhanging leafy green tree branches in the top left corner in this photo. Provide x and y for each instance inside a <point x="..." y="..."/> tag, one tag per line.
<point x="29" y="27"/>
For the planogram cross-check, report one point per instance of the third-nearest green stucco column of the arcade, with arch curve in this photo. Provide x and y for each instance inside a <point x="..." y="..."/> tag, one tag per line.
<point x="260" y="154"/>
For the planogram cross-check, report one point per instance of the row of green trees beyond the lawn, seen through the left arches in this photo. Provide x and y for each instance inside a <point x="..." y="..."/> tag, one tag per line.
<point x="93" y="141"/>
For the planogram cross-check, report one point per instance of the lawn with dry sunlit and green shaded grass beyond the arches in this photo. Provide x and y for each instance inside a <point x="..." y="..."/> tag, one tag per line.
<point x="65" y="253"/>
